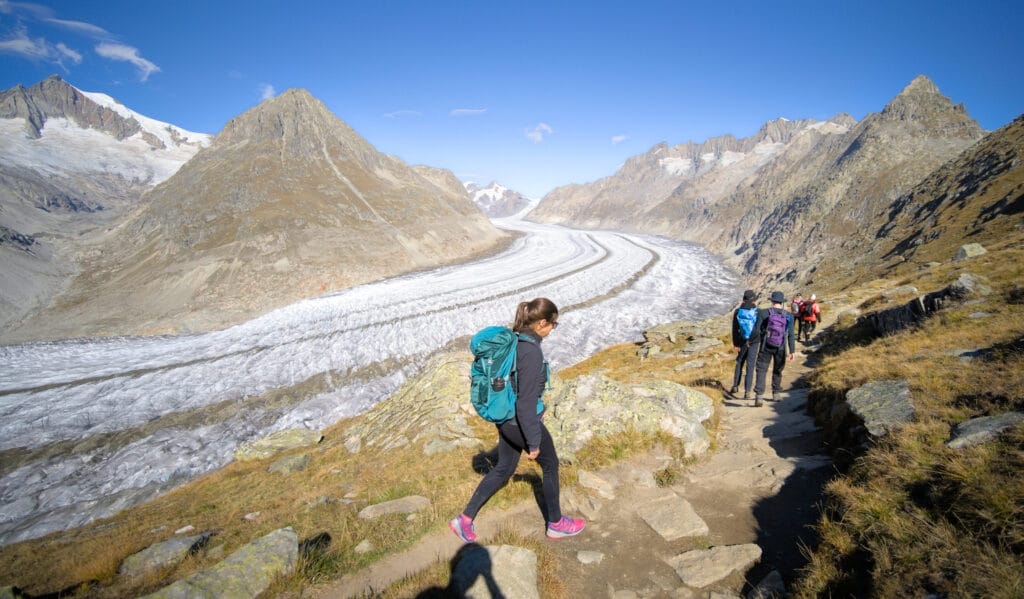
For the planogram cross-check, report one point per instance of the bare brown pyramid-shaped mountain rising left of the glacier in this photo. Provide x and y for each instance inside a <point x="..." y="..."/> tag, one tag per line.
<point x="287" y="203"/>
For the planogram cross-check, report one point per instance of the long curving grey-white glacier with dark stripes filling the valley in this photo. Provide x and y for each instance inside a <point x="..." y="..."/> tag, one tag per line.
<point x="92" y="426"/>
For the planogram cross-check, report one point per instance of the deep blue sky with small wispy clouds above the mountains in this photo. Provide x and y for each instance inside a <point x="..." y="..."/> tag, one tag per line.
<point x="532" y="95"/>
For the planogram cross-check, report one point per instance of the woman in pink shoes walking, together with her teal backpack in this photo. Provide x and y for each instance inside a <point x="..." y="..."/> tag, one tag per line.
<point x="520" y="415"/>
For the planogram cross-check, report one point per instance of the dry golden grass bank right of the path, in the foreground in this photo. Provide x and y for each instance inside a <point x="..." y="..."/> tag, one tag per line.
<point x="912" y="516"/>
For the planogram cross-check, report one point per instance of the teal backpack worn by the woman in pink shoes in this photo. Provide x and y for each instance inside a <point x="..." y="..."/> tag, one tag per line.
<point x="492" y="391"/>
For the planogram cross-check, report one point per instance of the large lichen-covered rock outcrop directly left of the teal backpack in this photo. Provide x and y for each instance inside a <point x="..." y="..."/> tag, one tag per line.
<point x="432" y="410"/>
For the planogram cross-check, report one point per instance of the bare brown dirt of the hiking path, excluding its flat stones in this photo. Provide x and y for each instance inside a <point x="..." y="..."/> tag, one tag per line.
<point x="760" y="486"/>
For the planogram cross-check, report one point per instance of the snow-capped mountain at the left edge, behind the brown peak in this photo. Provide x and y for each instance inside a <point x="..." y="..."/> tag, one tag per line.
<point x="71" y="162"/>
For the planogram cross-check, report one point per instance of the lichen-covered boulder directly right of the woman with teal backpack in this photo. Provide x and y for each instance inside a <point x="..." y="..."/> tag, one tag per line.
<point x="593" y="406"/>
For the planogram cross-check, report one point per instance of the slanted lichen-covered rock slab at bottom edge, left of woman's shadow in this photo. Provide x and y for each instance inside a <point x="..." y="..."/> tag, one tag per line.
<point x="247" y="573"/>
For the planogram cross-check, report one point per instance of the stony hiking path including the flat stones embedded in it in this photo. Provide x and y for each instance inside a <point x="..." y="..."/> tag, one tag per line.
<point x="750" y="502"/>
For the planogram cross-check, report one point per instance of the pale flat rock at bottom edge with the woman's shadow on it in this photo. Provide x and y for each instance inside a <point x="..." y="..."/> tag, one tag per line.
<point x="486" y="573"/>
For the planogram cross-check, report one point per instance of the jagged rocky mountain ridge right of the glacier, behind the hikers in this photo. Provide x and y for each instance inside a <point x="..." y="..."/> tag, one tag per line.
<point x="808" y="193"/>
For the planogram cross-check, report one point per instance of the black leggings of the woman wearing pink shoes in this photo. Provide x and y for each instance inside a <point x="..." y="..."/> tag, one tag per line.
<point x="510" y="447"/>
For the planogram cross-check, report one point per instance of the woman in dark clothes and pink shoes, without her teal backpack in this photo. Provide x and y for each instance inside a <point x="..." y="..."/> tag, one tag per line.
<point x="526" y="432"/>
